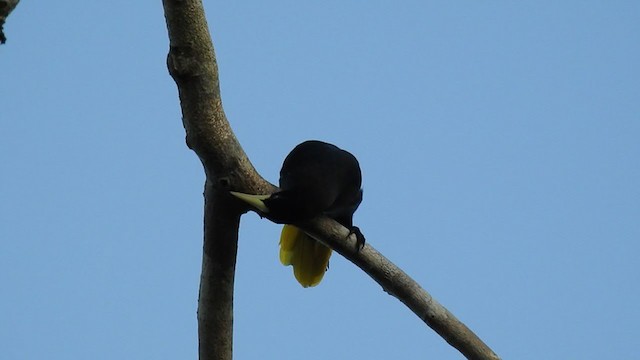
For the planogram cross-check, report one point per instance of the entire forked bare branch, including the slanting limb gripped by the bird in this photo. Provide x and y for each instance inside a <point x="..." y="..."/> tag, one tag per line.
<point x="192" y="64"/>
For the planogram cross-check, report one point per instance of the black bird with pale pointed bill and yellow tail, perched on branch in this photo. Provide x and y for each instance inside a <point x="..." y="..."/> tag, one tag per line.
<point x="316" y="178"/>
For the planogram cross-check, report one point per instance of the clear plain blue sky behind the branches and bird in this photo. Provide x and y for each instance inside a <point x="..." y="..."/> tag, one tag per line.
<point x="499" y="143"/>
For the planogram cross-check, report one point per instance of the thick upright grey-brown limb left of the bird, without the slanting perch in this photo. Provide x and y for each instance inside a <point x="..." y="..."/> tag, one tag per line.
<point x="192" y="64"/>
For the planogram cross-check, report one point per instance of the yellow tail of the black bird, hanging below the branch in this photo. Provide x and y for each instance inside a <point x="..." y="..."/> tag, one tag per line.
<point x="308" y="257"/>
